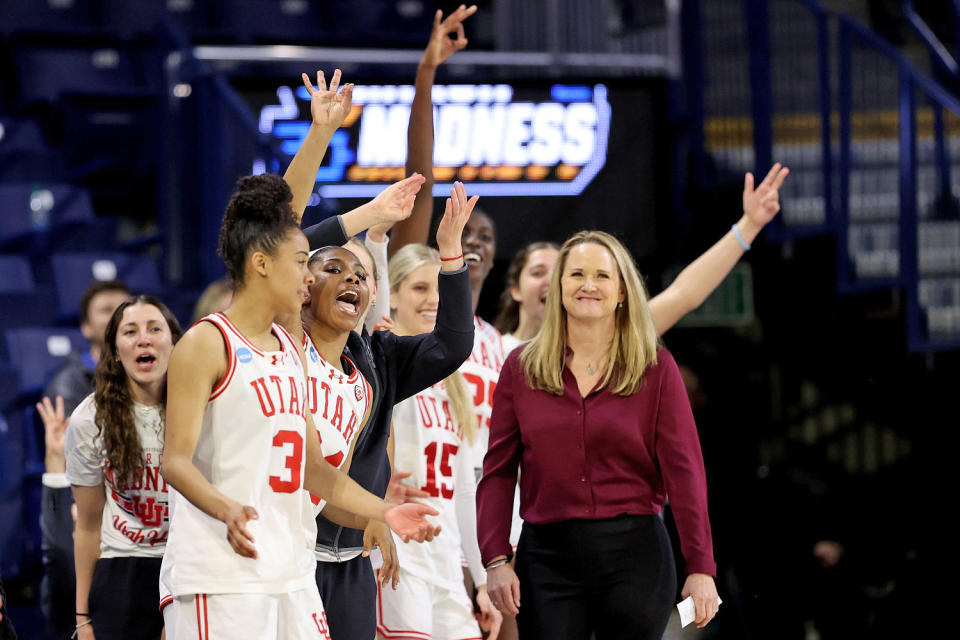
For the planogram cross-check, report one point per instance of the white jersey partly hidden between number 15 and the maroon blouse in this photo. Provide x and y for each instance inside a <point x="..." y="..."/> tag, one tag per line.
<point x="481" y="371"/>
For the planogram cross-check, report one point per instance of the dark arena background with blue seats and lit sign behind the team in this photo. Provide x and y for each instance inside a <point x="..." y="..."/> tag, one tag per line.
<point x="823" y="372"/>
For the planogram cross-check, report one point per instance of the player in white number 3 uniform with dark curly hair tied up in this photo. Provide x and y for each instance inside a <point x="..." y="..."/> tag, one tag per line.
<point x="240" y="445"/>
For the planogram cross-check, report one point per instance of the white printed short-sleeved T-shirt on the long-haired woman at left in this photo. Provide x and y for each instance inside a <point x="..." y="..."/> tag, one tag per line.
<point x="135" y="519"/>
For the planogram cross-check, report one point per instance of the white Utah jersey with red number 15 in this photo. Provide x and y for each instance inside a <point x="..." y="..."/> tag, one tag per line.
<point x="428" y="445"/>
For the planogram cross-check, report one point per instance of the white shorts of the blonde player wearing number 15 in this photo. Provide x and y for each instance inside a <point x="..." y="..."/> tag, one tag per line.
<point x="424" y="611"/>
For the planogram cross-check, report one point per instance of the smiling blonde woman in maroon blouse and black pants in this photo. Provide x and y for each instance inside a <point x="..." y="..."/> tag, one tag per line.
<point x="595" y="411"/>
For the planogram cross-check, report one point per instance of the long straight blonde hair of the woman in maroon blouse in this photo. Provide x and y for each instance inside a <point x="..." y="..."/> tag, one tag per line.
<point x="634" y="345"/>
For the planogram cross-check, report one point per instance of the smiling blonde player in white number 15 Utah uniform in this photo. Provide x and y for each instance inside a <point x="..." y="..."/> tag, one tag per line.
<point x="432" y="436"/>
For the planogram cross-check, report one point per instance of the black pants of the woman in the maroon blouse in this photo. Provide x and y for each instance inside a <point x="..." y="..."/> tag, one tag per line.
<point x="614" y="578"/>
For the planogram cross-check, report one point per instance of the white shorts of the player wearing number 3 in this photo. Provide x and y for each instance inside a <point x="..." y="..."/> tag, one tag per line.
<point x="297" y="615"/>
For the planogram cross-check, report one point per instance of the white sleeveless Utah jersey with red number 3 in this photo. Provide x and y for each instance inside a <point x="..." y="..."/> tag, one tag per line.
<point x="252" y="449"/>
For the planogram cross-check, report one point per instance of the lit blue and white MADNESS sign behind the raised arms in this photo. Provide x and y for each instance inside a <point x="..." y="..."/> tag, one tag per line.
<point x="503" y="140"/>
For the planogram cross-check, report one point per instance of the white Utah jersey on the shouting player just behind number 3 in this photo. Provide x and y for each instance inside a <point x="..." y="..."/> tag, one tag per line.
<point x="338" y="403"/>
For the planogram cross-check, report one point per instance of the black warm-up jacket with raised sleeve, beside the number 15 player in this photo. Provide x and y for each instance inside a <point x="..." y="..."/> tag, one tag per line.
<point x="397" y="367"/>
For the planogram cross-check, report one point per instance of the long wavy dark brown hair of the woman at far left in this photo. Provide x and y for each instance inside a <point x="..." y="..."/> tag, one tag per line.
<point x="112" y="397"/>
